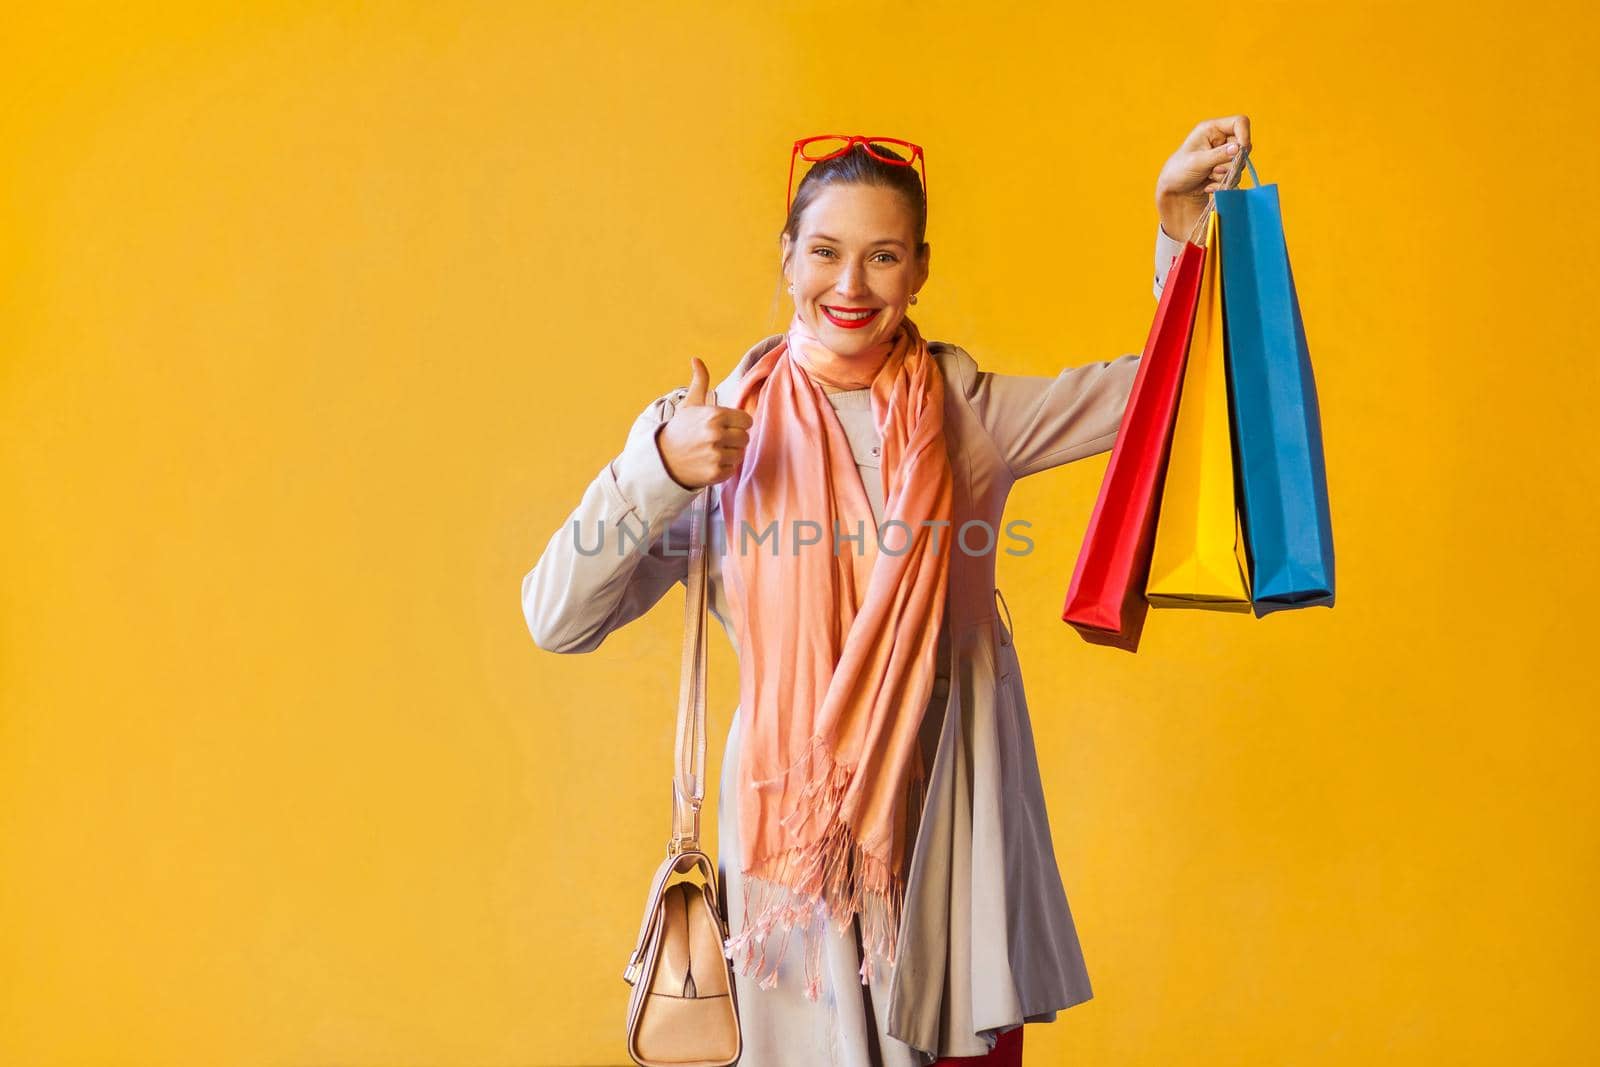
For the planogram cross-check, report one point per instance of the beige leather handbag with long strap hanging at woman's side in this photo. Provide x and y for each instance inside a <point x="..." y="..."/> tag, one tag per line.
<point x="684" y="1010"/>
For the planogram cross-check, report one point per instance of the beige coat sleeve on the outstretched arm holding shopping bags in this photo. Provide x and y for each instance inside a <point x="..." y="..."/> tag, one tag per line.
<point x="1047" y="422"/>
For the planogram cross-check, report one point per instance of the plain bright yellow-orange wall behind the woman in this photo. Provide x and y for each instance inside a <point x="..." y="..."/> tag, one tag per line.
<point x="318" y="319"/>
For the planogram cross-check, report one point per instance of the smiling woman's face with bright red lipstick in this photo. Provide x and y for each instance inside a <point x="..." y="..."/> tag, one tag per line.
<point x="857" y="254"/>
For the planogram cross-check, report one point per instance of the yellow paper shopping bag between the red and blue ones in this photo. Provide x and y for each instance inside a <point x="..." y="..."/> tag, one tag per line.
<point x="1199" y="557"/>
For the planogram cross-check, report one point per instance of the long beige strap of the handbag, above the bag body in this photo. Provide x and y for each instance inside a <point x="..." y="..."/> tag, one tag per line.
<point x="689" y="781"/>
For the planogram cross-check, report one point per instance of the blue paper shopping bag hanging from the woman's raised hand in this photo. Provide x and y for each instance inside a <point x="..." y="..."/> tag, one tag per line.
<point x="1278" y="428"/>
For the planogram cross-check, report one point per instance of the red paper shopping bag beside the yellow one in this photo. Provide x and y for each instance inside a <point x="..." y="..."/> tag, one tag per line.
<point x="1106" y="601"/>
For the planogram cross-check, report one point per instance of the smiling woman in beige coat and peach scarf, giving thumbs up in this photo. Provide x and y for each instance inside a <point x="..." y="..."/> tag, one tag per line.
<point x="908" y="853"/>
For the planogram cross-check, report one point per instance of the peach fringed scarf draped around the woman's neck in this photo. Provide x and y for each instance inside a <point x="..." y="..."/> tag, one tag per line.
<point x="838" y="641"/>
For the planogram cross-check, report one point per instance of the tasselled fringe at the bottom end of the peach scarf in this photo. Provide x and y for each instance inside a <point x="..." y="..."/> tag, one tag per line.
<point x="833" y="877"/>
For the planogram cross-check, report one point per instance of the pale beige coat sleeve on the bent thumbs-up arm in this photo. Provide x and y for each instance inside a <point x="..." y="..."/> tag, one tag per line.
<point x="620" y="551"/>
